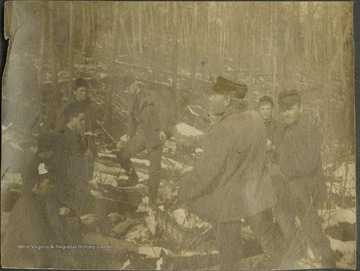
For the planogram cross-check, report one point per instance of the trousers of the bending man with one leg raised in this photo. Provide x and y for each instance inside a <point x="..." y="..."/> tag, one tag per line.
<point x="137" y="144"/>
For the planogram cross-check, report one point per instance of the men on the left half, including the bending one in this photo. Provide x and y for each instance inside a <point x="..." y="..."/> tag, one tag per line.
<point x="57" y="199"/>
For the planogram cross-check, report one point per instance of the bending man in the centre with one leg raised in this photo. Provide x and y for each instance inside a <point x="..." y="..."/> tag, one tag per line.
<point x="146" y="132"/>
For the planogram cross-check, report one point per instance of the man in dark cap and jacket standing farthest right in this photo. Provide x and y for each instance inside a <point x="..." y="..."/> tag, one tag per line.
<point x="298" y="150"/>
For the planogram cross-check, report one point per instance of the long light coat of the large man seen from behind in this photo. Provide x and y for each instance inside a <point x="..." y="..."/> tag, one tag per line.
<point x="229" y="181"/>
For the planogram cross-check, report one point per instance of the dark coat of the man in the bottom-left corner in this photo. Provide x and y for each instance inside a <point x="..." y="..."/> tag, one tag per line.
<point x="28" y="226"/>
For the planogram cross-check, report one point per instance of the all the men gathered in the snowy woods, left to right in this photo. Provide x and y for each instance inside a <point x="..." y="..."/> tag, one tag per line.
<point x="233" y="181"/>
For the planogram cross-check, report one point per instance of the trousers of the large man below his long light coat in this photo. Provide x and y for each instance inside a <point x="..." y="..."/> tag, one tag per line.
<point x="265" y="231"/>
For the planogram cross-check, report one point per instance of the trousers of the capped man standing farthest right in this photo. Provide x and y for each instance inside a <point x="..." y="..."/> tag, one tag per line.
<point x="294" y="199"/>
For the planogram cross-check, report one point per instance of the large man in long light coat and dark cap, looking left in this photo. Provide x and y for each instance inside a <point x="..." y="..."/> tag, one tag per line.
<point x="228" y="182"/>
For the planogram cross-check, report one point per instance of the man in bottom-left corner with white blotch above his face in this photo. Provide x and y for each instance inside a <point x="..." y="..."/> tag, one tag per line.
<point x="30" y="239"/>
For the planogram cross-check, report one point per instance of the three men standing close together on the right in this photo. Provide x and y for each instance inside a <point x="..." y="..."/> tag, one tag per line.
<point x="264" y="173"/>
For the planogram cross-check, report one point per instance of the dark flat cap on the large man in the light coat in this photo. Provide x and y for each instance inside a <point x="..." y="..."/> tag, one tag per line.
<point x="225" y="86"/>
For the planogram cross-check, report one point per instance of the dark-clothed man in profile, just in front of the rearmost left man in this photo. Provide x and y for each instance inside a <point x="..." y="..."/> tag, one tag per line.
<point x="73" y="187"/>
